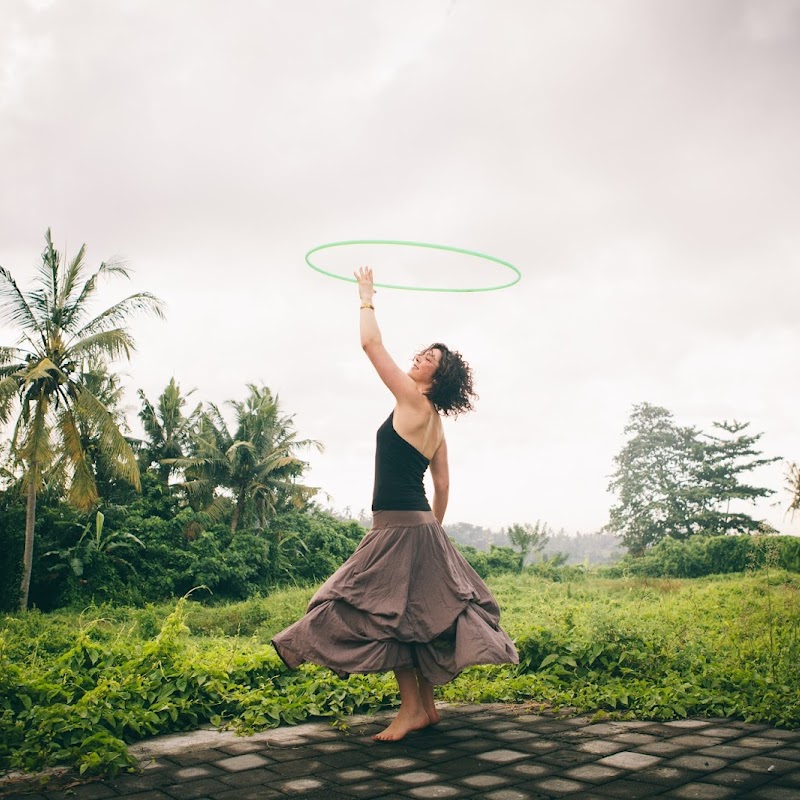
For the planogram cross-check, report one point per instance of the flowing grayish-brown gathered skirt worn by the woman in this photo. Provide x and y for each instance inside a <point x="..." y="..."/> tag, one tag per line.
<point x="405" y="599"/>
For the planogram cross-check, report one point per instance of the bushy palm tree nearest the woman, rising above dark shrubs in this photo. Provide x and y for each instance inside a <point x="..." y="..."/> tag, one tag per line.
<point x="257" y="462"/>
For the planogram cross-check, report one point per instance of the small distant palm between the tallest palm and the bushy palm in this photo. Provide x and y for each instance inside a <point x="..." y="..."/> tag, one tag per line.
<point x="168" y="430"/>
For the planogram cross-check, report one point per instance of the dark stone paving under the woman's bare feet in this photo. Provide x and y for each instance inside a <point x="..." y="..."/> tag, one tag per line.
<point x="483" y="752"/>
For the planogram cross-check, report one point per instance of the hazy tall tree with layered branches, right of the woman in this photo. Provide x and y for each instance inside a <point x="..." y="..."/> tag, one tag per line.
<point x="676" y="481"/>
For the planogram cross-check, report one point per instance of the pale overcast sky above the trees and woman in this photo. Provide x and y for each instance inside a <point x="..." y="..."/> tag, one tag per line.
<point x="638" y="160"/>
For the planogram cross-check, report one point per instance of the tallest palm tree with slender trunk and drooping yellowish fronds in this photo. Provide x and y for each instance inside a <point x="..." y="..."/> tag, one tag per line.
<point x="52" y="375"/>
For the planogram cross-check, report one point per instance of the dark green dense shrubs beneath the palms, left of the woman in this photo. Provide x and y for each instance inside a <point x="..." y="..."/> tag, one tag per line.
<point x="150" y="550"/>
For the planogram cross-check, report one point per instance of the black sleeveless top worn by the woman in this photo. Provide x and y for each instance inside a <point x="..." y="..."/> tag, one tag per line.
<point x="399" y="471"/>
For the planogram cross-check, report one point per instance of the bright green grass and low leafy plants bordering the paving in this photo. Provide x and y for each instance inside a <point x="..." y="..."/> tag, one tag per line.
<point x="76" y="689"/>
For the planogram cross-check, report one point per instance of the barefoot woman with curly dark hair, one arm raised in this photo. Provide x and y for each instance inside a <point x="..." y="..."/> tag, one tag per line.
<point x="406" y="600"/>
